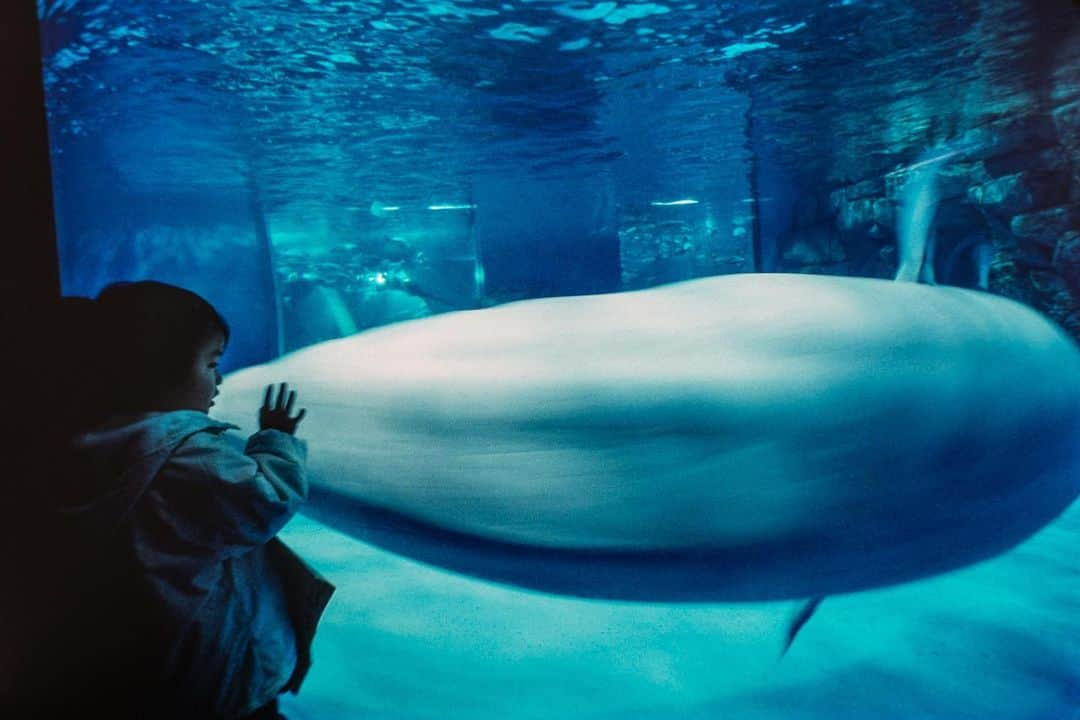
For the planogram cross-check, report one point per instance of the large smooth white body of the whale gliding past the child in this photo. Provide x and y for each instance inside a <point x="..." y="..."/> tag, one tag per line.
<point x="745" y="438"/>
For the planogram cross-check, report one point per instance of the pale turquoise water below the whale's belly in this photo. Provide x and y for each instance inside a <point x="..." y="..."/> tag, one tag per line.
<point x="402" y="641"/>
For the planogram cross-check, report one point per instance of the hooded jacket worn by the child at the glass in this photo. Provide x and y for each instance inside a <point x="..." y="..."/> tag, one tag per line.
<point x="175" y="522"/>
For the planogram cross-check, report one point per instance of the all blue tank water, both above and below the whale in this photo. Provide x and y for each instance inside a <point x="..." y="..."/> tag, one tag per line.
<point x="318" y="169"/>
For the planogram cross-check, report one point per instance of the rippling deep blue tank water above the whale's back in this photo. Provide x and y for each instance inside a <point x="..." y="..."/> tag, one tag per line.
<point x="182" y="130"/>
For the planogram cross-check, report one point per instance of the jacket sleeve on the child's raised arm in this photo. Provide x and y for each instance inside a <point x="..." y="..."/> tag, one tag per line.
<point x="215" y="500"/>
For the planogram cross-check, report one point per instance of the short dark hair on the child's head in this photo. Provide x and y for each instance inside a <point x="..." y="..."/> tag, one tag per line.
<point x="151" y="333"/>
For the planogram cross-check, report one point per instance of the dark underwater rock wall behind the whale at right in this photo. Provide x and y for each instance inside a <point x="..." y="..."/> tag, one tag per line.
<point x="1010" y="198"/>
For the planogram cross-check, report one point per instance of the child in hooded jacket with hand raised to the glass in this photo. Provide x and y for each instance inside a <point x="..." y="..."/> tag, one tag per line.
<point x="179" y="599"/>
